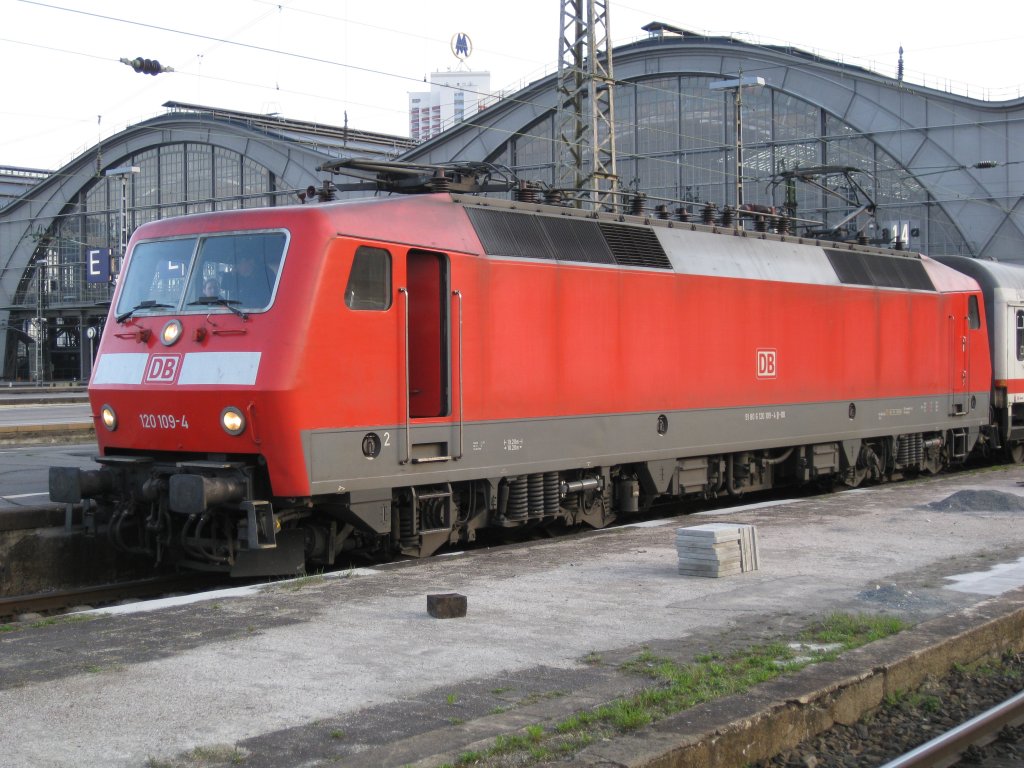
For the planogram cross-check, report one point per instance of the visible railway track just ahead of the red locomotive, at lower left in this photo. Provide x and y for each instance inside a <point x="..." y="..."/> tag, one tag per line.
<point x="61" y="601"/>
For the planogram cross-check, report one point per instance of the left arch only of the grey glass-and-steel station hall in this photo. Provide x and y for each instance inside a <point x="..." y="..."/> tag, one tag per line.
<point x="62" y="239"/>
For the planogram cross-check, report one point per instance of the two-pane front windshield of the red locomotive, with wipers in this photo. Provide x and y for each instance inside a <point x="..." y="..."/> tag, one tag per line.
<point x="203" y="274"/>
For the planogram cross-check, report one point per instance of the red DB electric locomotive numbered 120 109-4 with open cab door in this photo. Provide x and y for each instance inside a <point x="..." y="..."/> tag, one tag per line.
<point x="277" y="387"/>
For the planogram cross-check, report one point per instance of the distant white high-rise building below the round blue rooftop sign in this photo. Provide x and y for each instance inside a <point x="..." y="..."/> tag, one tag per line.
<point x="454" y="97"/>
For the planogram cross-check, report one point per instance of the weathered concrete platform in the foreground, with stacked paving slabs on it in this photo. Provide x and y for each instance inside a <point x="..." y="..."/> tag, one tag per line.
<point x="351" y="670"/>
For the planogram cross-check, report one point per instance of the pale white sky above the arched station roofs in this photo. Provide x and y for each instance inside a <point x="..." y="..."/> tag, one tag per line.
<point x="322" y="59"/>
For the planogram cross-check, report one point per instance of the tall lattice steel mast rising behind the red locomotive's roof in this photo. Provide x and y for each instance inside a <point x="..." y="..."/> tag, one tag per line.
<point x="585" y="165"/>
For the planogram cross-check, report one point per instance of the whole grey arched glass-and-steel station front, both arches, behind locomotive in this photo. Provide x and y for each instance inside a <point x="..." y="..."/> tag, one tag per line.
<point x="935" y="172"/>
